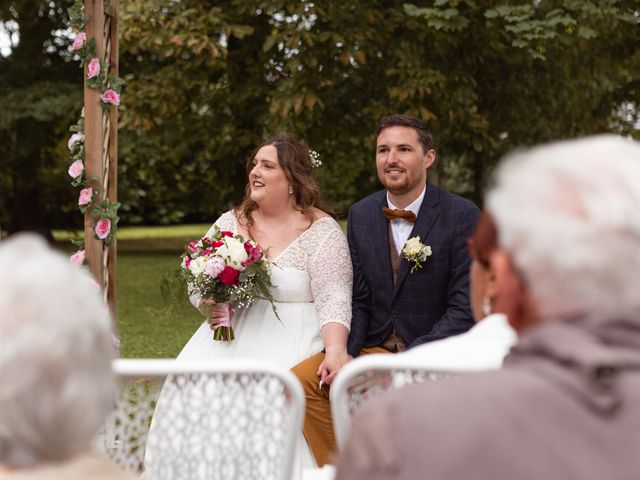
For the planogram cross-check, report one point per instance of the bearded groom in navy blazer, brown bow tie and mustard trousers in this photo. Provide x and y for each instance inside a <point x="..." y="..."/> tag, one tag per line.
<point x="395" y="308"/>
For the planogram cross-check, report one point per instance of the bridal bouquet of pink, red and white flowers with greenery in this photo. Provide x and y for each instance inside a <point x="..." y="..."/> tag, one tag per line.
<point x="227" y="270"/>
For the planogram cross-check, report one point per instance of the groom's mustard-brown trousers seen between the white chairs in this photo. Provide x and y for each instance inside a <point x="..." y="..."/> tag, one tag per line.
<point x="318" y="427"/>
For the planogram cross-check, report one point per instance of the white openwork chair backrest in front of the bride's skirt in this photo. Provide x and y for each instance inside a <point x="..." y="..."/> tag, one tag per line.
<point x="227" y="419"/>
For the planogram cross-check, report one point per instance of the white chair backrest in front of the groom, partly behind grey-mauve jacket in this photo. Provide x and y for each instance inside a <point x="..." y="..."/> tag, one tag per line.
<point x="370" y="375"/>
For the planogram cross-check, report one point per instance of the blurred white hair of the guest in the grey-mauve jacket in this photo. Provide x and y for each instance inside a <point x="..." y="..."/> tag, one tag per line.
<point x="567" y="213"/>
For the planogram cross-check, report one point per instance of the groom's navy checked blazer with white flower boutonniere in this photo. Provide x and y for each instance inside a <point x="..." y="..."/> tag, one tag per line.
<point x="432" y="302"/>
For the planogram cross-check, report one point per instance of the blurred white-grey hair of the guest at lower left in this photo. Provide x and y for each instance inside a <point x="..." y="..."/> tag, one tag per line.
<point x="55" y="356"/>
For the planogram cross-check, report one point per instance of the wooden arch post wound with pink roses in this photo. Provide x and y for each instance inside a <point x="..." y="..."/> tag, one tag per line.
<point x="101" y="144"/>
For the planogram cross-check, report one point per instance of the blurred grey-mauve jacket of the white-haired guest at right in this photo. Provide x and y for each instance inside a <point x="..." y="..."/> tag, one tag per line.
<point x="566" y="406"/>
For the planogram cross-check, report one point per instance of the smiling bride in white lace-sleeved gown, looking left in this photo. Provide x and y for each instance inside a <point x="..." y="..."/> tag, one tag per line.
<point x="311" y="273"/>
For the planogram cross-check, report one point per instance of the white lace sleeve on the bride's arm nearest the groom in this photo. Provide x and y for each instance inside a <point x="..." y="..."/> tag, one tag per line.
<point x="332" y="277"/>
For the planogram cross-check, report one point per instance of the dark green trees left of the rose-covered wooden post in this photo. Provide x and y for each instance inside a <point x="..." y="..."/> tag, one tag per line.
<point x="41" y="94"/>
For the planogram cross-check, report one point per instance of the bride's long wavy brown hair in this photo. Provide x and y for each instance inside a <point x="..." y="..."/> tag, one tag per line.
<point x="295" y="160"/>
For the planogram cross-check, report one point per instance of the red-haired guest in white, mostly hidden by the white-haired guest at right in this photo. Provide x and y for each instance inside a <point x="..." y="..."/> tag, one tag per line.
<point x="488" y="342"/>
